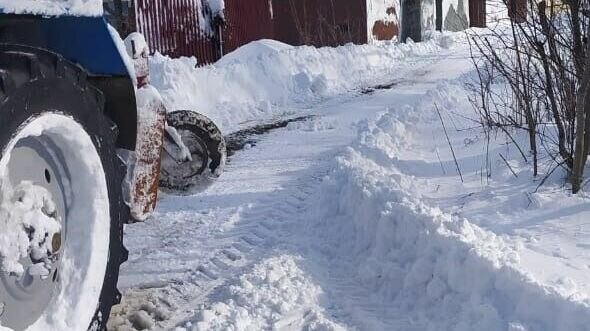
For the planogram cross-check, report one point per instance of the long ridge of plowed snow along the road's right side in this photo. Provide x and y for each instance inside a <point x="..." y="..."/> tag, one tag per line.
<point x="436" y="269"/>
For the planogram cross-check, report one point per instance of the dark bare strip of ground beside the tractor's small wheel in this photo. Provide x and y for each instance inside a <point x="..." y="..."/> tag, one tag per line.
<point x="249" y="136"/>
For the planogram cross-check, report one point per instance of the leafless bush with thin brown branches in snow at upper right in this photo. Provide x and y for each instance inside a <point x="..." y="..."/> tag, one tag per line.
<point x="533" y="74"/>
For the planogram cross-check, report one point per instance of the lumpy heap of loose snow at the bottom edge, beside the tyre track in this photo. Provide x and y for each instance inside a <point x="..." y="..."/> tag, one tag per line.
<point x="276" y="295"/>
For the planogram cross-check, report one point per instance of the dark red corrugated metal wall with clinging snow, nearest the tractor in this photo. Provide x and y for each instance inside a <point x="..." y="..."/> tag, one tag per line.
<point x="177" y="28"/>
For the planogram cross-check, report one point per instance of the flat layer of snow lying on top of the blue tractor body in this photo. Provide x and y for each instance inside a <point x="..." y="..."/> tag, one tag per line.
<point x="52" y="7"/>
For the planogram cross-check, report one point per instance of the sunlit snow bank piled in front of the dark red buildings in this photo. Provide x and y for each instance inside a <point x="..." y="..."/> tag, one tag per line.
<point x="259" y="79"/>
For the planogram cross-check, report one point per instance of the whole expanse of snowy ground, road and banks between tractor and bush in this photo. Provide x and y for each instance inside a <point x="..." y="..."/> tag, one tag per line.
<point x="356" y="218"/>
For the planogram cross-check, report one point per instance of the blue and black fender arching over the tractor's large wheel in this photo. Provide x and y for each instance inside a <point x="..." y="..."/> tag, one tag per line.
<point x="87" y="42"/>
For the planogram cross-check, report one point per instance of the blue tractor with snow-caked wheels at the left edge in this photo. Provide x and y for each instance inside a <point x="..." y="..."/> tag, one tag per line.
<point x="86" y="145"/>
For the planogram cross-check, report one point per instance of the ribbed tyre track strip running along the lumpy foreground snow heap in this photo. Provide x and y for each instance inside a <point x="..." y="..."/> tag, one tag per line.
<point x="166" y="304"/>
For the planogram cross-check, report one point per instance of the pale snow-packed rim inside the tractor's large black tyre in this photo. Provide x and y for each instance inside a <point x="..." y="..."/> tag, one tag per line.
<point x="53" y="154"/>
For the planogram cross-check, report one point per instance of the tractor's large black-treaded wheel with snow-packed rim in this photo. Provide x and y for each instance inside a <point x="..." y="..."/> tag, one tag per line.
<point x="54" y="134"/>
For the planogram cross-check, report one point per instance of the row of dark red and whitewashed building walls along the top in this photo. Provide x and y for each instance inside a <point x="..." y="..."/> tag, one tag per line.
<point x="191" y="28"/>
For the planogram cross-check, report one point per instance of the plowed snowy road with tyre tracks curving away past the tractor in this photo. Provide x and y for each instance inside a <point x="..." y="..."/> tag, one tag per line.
<point x="185" y="257"/>
